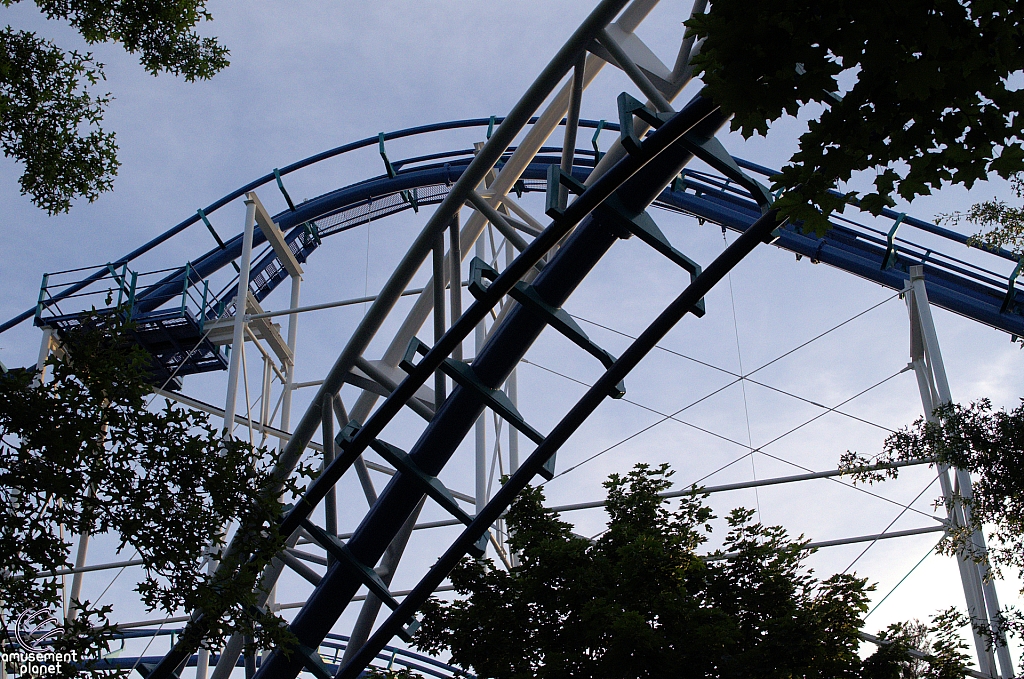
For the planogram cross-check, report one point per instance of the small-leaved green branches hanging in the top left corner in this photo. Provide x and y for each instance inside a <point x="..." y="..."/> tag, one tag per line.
<point x="51" y="116"/>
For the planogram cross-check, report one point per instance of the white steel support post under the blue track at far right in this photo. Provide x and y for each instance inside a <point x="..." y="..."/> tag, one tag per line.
<point x="983" y="602"/>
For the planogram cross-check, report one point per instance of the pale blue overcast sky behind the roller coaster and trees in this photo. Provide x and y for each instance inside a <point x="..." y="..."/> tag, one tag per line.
<point x="309" y="76"/>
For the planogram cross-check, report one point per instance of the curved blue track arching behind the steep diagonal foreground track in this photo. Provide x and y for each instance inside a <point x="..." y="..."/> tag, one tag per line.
<point x="977" y="292"/>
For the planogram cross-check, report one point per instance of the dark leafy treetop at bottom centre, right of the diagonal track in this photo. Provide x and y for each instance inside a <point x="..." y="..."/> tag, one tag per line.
<point x="639" y="602"/>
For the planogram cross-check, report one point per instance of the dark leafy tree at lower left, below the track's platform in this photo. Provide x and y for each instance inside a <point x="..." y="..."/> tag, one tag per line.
<point x="84" y="453"/>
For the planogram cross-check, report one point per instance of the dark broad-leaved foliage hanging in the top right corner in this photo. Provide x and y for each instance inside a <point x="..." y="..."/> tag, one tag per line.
<point x="920" y="94"/>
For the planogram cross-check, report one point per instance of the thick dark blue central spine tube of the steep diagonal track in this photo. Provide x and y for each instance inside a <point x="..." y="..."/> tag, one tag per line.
<point x="444" y="435"/>
